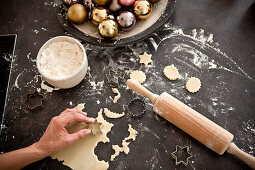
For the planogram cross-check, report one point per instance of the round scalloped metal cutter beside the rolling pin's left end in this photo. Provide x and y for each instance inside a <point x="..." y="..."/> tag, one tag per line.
<point x="136" y="108"/>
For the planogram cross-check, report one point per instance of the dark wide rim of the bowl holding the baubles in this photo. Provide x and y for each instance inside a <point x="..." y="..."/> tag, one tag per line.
<point x="69" y="27"/>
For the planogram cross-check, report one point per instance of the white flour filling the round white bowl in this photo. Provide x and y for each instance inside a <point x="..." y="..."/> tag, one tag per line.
<point x="61" y="59"/>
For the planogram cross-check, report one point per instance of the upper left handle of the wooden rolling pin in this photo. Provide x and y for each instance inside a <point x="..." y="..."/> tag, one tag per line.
<point x="137" y="87"/>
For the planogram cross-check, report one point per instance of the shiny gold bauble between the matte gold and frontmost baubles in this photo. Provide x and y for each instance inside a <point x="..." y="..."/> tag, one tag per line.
<point x="99" y="14"/>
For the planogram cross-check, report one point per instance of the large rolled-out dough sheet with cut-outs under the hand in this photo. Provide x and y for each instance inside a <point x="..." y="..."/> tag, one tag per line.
<point x="80" y="155"/>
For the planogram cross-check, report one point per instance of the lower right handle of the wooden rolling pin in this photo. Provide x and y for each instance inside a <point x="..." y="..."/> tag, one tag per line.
<point x="248" y="159"/>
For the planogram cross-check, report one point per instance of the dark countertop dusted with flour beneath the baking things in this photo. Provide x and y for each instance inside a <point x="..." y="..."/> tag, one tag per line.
<point x="226" y="97"/>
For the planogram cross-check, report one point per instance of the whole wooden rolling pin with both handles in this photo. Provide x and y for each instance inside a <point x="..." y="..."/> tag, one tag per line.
<point x="190" y="121"/>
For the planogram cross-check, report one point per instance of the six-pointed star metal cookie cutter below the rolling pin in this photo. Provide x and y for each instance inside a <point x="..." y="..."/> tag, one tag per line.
<point x="181" y="155"/>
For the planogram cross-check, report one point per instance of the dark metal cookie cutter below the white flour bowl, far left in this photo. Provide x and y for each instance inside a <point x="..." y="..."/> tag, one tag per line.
<point x="34" y="100"/>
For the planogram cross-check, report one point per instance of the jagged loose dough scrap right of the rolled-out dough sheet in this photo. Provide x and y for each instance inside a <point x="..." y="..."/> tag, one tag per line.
<point x="132" y="135"/>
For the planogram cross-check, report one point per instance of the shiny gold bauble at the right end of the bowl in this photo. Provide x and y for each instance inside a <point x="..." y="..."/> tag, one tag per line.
<point x="142" y="9"/>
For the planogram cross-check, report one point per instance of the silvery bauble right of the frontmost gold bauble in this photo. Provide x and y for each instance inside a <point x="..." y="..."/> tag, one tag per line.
<point x="126" y="20"/>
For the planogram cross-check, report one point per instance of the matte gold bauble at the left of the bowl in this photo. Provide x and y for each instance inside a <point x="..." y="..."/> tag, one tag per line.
<point x="77" y="14"/>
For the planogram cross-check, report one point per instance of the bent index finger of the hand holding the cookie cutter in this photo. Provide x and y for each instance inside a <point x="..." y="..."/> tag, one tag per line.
<point x="73" y="115"/>
